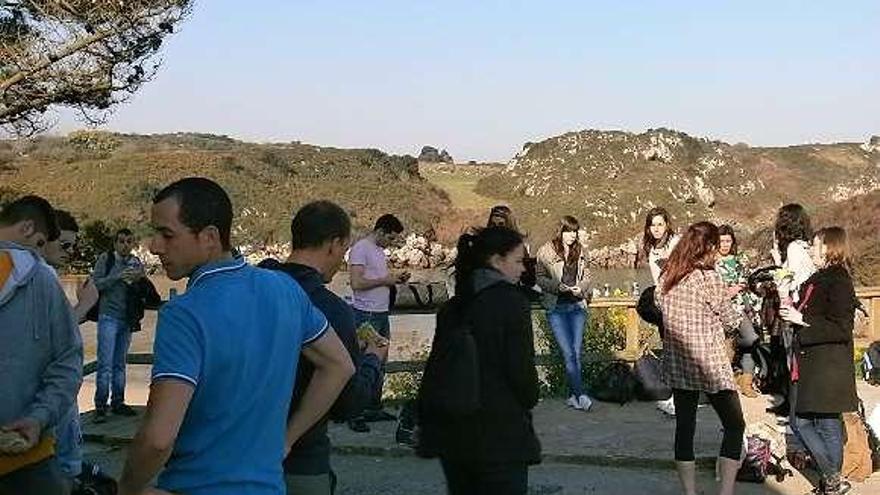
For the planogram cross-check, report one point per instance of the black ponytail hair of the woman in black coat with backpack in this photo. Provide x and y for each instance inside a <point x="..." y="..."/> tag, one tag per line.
<point x="475" y="249"/>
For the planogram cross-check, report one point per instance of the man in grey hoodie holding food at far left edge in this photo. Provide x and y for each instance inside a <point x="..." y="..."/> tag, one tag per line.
<point x="40" y="354"/>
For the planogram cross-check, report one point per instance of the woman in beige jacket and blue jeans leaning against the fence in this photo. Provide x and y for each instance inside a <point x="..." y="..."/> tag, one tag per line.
<point x="564" y="279"/>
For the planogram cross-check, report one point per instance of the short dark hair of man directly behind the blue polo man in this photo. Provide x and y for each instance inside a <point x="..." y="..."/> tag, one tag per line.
<point x="318" y="222"/>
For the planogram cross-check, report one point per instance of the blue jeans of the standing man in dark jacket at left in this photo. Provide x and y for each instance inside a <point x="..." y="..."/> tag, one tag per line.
<point x="114" y="338"/>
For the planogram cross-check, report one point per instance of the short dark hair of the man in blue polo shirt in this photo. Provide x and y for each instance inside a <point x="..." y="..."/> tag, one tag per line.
<point x="202" y="203"/>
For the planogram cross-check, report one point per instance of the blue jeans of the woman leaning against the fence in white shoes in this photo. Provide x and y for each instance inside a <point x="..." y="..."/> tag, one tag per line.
<point x="567" y="322"/>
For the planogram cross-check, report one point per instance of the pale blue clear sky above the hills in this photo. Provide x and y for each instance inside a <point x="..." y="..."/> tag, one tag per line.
<point x="481" y="77"/>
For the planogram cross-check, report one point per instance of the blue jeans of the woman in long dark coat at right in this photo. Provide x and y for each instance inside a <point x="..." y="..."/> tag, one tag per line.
<point x="823" y="437"/>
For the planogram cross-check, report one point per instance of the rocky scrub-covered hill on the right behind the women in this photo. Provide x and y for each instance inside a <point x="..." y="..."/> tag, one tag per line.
<point x="610" y="179"/>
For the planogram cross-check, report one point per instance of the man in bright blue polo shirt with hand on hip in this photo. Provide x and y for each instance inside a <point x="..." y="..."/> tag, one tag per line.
<point x="226" y="354"/>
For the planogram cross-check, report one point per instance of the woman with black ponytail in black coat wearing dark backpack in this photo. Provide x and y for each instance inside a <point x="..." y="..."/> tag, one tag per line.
<point x="486" y="441"/>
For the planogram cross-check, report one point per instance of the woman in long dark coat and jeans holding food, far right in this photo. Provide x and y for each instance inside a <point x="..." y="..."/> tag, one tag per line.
<point x="825" y="371"/>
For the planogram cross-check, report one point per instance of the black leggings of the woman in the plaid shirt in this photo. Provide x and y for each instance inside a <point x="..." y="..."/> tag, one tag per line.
<point x="726" y="405"/>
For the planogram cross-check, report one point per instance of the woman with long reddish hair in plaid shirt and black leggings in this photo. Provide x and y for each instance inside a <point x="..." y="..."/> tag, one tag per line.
<point x="697" y="311"/>
